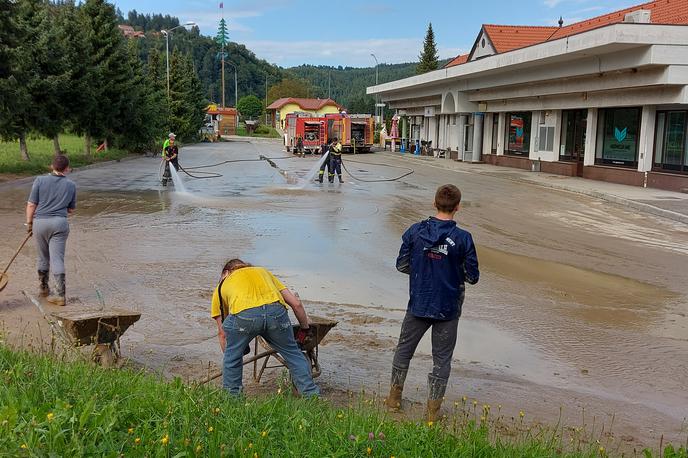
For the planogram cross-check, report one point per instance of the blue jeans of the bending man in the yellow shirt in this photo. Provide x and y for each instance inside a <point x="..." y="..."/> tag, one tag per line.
<point x="271" y="322"/>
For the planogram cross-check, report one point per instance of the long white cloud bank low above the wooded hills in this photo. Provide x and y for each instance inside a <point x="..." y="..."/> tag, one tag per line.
<point x="352" y="53"/>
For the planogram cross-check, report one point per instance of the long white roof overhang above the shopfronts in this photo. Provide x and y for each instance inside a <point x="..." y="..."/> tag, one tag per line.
<point x="611" y="48"/>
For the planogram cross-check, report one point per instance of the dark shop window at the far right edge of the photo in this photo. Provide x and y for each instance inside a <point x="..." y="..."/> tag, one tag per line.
<point x="671" y="141"/>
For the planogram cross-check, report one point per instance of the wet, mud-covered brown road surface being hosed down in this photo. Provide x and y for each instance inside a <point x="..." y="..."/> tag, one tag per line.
<point x="581" y="304"/>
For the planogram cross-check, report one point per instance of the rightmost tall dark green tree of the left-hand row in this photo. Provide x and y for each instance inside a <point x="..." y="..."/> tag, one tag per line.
<point x="187" y="104"/>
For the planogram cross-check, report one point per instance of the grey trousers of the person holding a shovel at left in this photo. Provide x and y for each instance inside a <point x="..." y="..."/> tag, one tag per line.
<point x="51" y="242"/>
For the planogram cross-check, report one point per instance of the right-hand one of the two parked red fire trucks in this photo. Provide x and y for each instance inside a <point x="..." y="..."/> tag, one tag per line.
<point x="356" y="132"/>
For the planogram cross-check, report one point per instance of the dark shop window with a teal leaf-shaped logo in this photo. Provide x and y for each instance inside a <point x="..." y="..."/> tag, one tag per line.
<point x="617" y="136"/>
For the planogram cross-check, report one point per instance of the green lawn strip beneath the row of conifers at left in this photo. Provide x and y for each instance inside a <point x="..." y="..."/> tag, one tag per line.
<point x="41" y="154"/>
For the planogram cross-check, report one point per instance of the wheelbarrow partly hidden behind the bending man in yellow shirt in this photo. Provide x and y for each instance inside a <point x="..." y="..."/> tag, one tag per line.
<point x="263" y="352"/>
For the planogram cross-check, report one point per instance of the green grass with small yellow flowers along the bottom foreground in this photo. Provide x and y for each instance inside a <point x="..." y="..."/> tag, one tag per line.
<point x="51" y="408"/>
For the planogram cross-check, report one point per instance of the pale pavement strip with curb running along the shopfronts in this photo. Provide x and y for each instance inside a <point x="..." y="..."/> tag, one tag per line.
<point x="618" y="200"/>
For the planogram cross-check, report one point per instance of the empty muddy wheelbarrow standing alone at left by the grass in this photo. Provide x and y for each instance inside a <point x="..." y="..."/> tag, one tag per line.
<point x="102" y="328"/>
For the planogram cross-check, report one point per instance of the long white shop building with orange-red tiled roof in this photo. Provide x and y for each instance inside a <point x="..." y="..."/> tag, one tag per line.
<point x="605" y="98"/>
